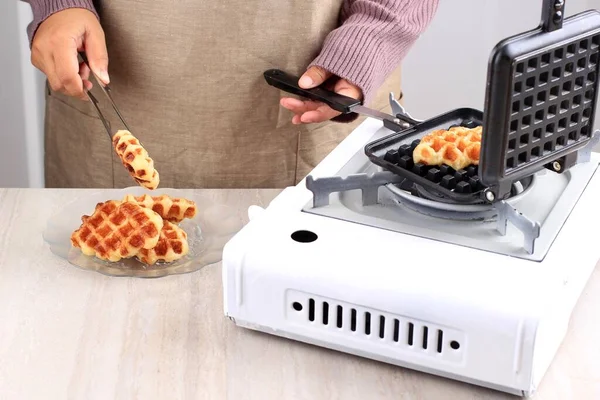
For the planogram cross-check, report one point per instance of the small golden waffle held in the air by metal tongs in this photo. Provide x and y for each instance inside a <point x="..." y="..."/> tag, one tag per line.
<point x="136" y="159"/>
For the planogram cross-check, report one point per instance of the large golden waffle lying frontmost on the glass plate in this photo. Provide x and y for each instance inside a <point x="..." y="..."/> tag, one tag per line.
<point x="117" y="230"/>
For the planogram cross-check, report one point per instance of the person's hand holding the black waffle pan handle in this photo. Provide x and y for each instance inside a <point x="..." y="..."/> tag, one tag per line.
<point x="309" y="111"/>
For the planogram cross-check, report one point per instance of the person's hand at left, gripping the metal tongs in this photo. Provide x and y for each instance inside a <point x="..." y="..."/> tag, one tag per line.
<point x="55" y="48"/>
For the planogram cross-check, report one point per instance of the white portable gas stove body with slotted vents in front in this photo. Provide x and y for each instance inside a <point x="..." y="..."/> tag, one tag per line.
<point x="487" y="319"/>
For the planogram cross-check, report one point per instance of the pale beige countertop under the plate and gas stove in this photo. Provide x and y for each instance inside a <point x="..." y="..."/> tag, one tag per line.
<point x="70" y="333"/>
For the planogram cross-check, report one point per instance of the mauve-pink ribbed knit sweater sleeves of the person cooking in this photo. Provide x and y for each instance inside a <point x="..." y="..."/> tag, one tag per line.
<point x="373" y="38"/>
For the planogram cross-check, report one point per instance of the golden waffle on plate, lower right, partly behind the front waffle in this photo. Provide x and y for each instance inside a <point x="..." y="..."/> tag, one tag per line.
<point x="171" y="246"/>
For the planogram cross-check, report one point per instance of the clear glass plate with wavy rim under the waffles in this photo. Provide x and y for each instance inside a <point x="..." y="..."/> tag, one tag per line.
<point x="208" y="232"/>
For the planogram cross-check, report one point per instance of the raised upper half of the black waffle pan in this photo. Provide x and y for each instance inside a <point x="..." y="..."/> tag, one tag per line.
<point x="542" y="89"/>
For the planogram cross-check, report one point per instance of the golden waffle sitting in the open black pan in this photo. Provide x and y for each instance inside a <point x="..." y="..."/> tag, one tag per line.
<point x="457" y="147"/>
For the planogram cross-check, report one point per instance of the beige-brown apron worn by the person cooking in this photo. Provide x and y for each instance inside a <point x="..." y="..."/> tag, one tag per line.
<point x="187" y="76"/>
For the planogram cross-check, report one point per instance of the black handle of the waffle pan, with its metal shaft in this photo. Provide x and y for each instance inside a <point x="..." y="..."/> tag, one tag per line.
<point x="344" y="104"/>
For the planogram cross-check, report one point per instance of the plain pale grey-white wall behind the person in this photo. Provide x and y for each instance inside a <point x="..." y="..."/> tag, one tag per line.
<point x="445" y="70"/>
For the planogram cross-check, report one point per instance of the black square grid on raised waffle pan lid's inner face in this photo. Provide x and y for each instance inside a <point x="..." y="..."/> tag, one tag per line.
<point x="553" y="97"/>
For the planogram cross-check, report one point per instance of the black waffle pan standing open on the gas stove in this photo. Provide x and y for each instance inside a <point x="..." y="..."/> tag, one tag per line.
<point x="540" y="105"/>
